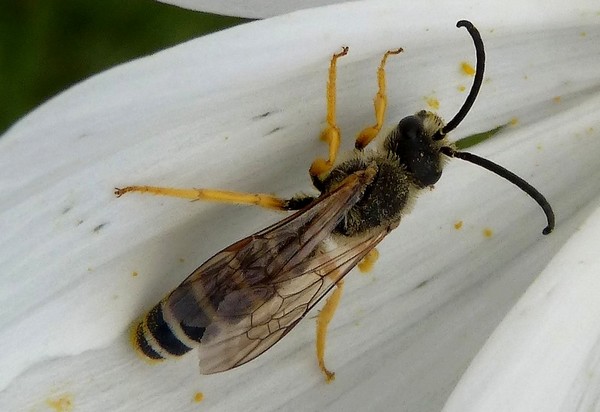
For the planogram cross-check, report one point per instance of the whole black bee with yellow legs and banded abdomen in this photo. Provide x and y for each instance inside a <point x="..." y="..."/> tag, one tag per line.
<point x="245" y="298"/>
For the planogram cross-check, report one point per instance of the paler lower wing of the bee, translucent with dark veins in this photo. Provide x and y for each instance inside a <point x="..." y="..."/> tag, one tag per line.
<point x="229" y="342"/>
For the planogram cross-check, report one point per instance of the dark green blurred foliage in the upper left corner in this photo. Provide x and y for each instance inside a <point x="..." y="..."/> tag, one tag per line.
<point x="48" y="45"/>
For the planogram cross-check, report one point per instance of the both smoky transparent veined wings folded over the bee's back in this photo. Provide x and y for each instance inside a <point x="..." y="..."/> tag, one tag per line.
<point x="248" y="296"/>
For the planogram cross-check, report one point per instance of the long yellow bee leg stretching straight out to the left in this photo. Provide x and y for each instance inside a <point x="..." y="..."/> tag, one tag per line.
<point x="223" y="196"/>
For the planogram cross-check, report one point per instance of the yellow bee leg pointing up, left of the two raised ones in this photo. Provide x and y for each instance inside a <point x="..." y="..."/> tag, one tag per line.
<point x="331" y="133"/>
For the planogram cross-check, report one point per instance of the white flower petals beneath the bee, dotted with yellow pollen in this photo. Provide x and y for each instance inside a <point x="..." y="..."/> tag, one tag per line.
<point x="241" y="110"/>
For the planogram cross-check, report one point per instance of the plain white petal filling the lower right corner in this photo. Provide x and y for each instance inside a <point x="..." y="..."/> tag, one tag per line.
<point x="544" y="354"/>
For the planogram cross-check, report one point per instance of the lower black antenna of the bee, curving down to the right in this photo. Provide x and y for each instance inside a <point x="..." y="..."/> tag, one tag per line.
<point x="511" y="177"/>
